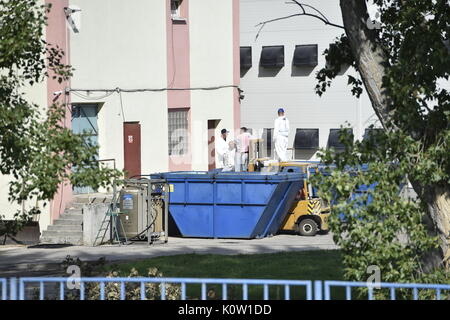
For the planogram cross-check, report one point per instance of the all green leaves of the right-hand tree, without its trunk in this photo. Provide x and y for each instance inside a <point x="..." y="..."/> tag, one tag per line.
<point x="390" y="231"/>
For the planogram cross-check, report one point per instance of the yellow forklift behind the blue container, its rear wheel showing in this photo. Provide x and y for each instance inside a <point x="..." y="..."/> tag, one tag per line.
<point x="309" y="213"/>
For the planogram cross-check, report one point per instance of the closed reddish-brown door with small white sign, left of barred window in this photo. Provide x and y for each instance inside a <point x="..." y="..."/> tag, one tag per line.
<point x="132" y="148"/>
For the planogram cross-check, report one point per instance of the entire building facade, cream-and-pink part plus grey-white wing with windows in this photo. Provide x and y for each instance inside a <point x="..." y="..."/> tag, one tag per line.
<point x="156" y="81"/>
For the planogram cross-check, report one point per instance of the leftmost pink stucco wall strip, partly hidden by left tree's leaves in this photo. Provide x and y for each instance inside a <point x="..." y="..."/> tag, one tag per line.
<point x="58" y="34"/>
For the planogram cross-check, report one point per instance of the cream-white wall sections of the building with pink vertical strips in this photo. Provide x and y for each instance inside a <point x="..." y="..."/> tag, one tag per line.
<point x="123" y="44"/>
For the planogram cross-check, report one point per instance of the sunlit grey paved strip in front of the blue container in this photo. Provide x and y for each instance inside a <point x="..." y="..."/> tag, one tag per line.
<point x="12" y="256"/>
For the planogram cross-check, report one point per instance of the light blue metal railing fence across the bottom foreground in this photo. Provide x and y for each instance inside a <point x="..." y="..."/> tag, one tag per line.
<point x="58" y="288"/>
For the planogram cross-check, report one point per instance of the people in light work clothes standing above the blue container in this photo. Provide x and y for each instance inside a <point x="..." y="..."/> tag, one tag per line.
<point x="233" y="154"/>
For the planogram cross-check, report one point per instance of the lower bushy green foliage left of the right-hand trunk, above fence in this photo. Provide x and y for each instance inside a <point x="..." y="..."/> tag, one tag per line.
<point x="386" y="231"/>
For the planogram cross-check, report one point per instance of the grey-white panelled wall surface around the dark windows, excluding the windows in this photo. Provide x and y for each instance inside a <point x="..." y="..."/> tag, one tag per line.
<point x="304" y="109"/>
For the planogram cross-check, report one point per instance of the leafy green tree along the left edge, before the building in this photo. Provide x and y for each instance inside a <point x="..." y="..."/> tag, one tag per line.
<point x="36" y="148"/>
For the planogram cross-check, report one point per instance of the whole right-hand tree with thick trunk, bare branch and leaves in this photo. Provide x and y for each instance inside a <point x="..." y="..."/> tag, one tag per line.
<point x="402" y="63"/>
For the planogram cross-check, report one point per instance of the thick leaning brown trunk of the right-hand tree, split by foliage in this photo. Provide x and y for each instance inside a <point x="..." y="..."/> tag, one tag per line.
<point x="371" y="62"/>
